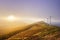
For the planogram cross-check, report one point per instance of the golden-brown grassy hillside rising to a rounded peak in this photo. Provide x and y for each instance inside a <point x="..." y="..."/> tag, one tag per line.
<point x="38" y="31"/>
